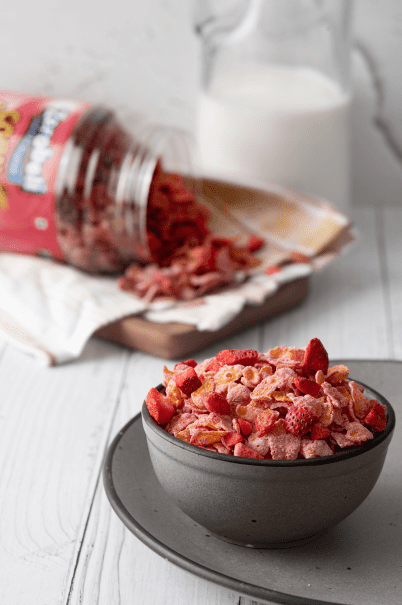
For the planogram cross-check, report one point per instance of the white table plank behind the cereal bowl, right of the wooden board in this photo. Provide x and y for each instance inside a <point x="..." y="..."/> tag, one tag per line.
<point x="346" y="306"/>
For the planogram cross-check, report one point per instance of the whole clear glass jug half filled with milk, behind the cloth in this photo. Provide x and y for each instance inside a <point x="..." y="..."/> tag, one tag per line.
<point x="275" y="93"/>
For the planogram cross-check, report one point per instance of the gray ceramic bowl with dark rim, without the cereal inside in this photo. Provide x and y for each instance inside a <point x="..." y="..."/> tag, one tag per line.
<point x="266" y="503"/>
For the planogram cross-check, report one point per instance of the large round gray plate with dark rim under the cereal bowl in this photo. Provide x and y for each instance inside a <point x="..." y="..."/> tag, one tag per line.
<point x="359" y="562"/>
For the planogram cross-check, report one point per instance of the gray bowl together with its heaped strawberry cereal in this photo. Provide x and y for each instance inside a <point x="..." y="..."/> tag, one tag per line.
<point x="266" y="450"/>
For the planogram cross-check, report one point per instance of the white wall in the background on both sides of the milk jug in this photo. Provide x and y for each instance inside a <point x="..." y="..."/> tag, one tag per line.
<point x="142" y="57"/>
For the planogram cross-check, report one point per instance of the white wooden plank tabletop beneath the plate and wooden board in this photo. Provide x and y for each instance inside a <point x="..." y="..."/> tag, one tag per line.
<point x="60" y="541"/>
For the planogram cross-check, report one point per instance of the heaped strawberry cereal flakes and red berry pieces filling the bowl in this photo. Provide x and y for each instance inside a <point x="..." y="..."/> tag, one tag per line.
<point x="280" y="405"/>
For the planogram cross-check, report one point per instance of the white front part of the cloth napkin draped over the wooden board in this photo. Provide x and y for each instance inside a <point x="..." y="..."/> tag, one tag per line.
<point x="51" y="310"/>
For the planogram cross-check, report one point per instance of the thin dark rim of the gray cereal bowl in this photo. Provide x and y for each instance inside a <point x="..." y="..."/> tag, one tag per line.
<point x="331" y="459"/>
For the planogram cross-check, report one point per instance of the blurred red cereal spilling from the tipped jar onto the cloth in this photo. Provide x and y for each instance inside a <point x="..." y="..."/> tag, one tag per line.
<point x="190" y="261"/>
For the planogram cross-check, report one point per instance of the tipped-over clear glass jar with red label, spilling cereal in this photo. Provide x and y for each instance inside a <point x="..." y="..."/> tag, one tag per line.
<point x="79" y="187"/>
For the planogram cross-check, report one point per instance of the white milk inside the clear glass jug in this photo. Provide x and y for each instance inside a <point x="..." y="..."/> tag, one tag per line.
<point x="281" y="125"/>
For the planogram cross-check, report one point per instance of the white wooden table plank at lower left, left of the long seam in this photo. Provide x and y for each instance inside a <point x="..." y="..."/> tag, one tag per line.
<point x="55" y="423"/>
